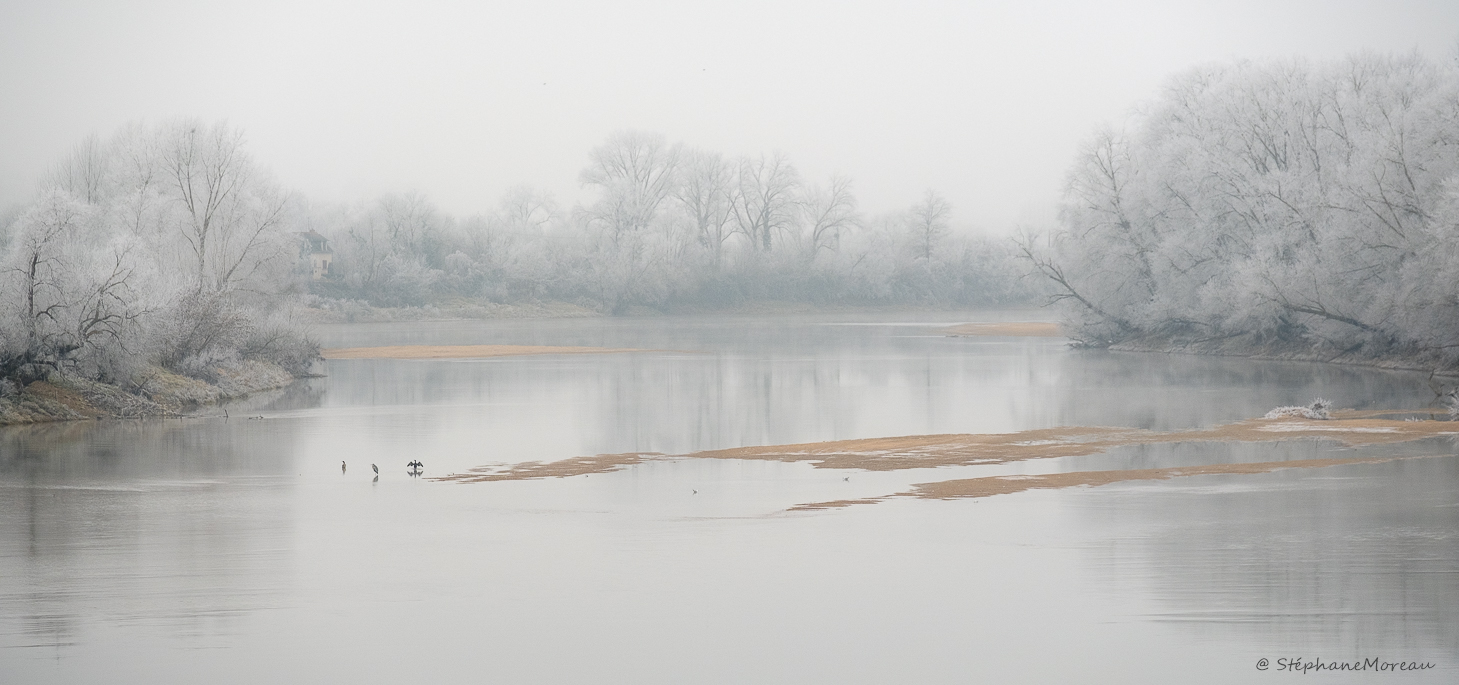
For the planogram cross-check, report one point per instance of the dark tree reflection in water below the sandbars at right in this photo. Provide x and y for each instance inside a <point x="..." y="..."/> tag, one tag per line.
<point x="1347" y="562"/>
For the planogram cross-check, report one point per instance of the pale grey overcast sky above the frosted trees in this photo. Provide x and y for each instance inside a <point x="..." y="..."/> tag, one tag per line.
<point x="983" y="102"/>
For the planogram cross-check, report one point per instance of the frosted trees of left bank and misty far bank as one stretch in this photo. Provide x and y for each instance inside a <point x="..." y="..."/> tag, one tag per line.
<point x="170" y="246"/>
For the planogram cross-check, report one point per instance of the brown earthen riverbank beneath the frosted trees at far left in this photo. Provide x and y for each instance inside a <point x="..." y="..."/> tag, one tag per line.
<point x="158" y="394"/>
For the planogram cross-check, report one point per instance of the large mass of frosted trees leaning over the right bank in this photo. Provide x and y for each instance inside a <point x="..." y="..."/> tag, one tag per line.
<point x="1286" y="204"/>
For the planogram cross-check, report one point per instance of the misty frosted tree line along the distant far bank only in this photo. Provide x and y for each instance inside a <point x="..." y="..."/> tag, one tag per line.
<point x="670" y="229"/>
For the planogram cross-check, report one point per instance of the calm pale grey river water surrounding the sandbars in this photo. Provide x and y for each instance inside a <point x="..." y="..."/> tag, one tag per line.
<point x="234" y="550"/>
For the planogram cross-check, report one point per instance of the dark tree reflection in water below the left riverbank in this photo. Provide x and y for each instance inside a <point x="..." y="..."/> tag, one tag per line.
<point x="122" y="522"/>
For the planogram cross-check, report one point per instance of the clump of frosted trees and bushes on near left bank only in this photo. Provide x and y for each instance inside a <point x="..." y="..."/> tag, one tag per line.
<point x="158" y="246"/>
